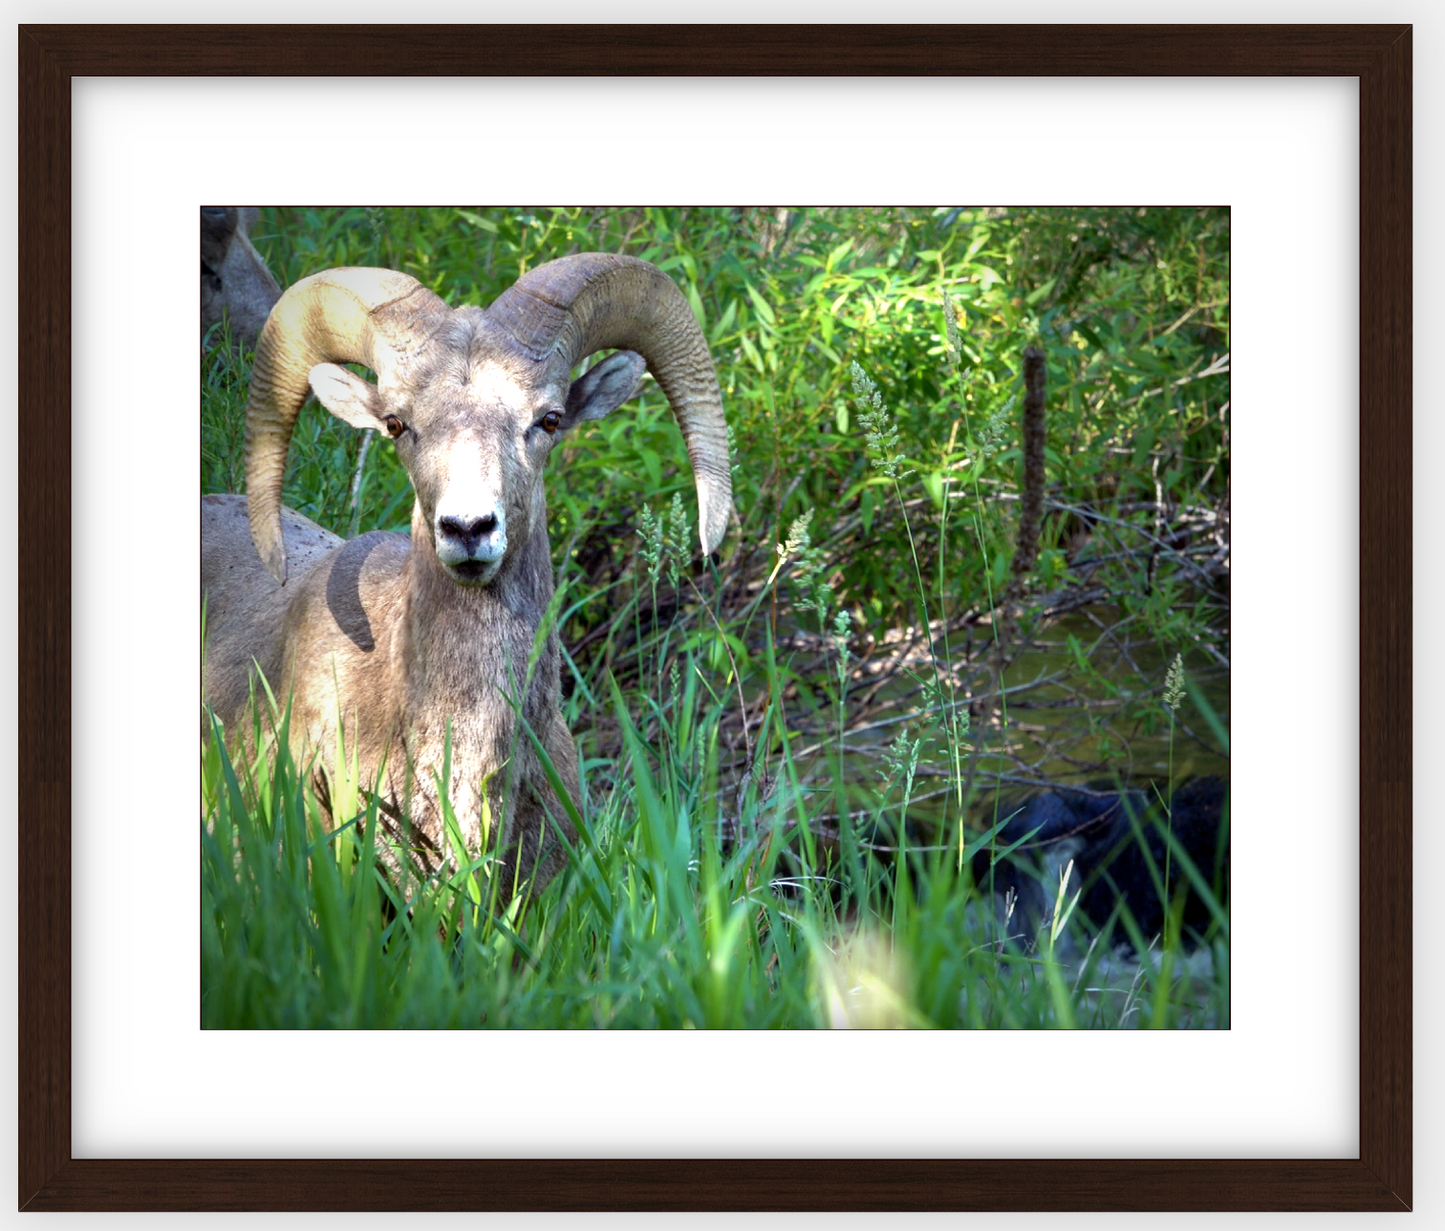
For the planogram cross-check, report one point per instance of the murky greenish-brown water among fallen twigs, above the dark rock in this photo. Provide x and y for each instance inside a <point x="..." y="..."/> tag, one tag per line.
<point x="1082" y="706"/>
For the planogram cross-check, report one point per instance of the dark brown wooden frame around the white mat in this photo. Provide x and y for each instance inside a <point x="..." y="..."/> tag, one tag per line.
<point x="1378" y="56"/>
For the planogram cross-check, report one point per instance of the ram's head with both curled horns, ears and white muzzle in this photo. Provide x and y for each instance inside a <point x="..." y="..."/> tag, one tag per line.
<point x="475" y="399"/>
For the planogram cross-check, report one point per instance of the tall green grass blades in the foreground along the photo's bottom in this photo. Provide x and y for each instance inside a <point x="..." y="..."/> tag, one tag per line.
<point x="674" y="912"/>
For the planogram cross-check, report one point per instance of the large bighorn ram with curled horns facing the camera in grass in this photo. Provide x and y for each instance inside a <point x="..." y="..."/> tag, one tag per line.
<point x="411" y="638"/>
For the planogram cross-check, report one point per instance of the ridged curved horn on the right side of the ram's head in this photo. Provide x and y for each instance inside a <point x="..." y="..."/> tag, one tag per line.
<point x="569" y="308"/>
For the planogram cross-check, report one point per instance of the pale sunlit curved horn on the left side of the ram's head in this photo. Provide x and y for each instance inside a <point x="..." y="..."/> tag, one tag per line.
<point x="374" y="317"/>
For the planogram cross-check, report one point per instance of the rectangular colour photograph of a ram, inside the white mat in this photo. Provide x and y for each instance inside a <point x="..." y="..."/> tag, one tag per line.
<point x="716" y="618"/>
